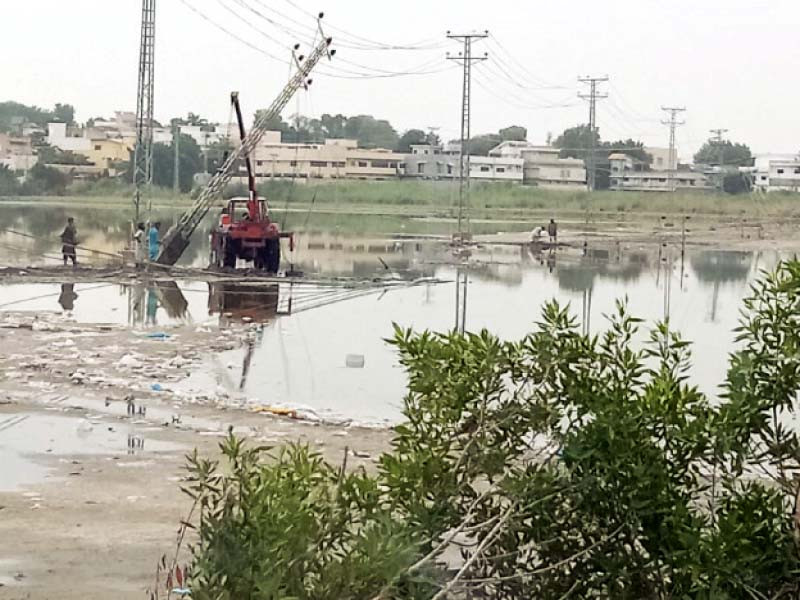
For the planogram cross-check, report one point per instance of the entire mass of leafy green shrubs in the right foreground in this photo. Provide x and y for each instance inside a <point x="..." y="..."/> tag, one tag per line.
<point x="557" y="466"/>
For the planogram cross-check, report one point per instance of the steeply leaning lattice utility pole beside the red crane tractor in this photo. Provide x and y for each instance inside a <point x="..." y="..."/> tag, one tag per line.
<point x="176" y="239"/>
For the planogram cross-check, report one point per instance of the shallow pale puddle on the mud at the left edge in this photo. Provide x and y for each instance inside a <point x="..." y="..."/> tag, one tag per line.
<point x="24" y="437"/>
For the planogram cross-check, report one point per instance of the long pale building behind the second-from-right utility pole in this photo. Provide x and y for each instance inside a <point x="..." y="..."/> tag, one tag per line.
<point x="624" y="176"/>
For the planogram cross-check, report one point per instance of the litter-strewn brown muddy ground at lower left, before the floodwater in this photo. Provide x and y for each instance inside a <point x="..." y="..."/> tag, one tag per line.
<point x="94" y="498"/>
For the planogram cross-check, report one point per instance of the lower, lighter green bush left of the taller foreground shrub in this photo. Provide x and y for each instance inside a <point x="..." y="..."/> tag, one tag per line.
<point x="296" y="528"/>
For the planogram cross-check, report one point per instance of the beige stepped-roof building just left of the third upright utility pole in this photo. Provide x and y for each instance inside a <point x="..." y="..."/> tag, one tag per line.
<point x="543" y="166"/>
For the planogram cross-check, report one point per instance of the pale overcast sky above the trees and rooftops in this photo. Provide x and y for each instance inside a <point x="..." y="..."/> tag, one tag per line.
<point x="732" y="63"/>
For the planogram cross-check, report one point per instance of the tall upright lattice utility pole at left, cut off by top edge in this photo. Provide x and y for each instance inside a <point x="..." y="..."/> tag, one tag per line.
<point x="143" y="150"/>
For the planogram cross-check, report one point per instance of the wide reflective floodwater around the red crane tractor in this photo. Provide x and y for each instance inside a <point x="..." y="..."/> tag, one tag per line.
<point x="300" y="355"/>
